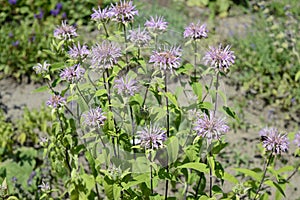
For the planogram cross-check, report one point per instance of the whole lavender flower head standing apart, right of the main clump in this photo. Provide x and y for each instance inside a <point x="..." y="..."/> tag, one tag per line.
<point x="273" y="140"/>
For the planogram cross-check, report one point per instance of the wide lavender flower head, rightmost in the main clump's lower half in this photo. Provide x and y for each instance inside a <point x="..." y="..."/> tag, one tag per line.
<point x="210" y="127"/>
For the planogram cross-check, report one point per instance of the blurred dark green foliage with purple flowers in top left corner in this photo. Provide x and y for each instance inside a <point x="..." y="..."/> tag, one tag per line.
<point x="23" y="37"/>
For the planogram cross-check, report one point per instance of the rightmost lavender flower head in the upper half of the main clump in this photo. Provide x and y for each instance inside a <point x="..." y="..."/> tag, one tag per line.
<point x="219" y="58"/>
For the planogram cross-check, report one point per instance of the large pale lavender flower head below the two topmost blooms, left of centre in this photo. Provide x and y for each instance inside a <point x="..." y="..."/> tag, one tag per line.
<point x="105" y="55"/>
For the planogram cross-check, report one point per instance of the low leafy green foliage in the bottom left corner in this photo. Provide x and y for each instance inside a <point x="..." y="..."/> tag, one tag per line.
<point x="21" y="152"/>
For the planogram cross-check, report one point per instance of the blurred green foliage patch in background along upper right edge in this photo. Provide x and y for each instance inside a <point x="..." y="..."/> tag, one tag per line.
<point x="268" y="62"/>
